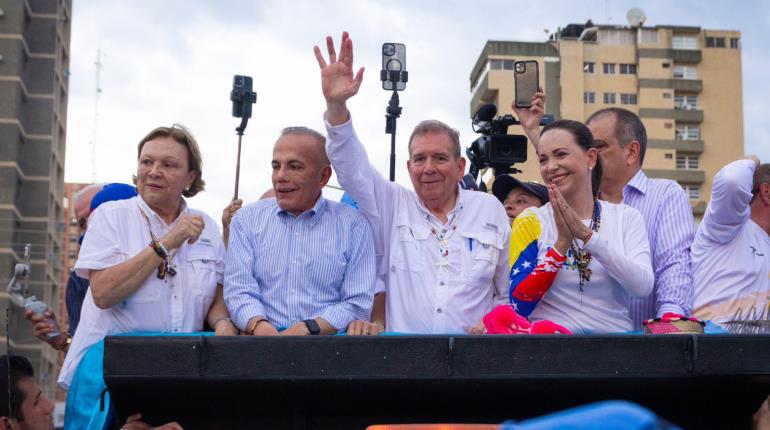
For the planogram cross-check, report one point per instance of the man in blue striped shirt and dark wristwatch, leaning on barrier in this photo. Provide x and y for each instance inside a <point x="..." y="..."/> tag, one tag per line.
<point x="298" y="262"/>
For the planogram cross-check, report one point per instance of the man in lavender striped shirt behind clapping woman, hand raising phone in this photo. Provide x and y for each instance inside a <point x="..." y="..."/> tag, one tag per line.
<point x="622" y="141"/>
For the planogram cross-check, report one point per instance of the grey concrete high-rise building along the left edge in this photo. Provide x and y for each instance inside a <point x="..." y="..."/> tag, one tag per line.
<point x="34" y="64"/>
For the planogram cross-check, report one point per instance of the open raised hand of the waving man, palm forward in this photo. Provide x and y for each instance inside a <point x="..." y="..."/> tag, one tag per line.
<point x="337" y="80"/>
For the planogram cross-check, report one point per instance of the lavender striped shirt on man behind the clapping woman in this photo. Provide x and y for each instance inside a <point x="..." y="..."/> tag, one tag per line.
<point x="670" y="229"/>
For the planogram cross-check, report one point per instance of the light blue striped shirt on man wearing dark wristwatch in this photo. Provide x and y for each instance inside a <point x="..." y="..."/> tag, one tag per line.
<point x="290" y="268"/>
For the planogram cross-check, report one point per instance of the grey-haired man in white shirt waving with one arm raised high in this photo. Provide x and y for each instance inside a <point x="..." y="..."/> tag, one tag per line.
<point x="442" y="248"/>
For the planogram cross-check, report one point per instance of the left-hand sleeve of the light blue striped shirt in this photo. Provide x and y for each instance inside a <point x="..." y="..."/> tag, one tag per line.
<point x="241" y="290"/>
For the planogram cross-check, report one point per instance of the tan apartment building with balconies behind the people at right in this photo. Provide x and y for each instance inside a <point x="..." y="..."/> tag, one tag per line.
<point x="684" y="82"/>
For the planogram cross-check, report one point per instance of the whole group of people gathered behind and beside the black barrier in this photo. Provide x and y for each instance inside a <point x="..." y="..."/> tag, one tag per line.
<point x="597" y="248"/>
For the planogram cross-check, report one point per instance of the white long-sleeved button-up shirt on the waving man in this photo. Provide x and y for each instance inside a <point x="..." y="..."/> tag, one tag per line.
<point x="426" y="292"/>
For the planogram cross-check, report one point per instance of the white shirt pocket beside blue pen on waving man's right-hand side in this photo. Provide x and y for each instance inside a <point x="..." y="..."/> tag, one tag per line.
<point x="481" y="261"/>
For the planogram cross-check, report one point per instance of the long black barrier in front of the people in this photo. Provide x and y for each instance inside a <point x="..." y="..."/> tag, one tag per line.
<point x="696" y="381"/>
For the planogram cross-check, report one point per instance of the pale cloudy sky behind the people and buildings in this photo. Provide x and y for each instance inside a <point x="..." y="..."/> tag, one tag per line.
<point x="170" y="62"/>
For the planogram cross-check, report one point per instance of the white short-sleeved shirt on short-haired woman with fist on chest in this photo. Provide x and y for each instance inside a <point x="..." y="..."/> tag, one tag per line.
<point x="117" y="231"/>
